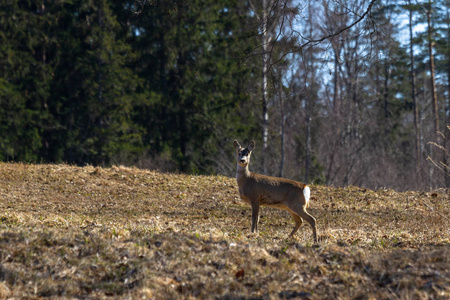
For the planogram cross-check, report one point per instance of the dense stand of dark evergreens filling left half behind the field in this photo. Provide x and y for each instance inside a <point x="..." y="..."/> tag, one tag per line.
<point x="109" y="82"/>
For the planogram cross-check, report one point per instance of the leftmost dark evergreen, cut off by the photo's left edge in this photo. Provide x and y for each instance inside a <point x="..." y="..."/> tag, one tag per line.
<point x="26" y="64"/>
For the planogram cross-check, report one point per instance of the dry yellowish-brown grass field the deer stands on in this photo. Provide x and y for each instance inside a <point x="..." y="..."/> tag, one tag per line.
<point x="72" y="232"/>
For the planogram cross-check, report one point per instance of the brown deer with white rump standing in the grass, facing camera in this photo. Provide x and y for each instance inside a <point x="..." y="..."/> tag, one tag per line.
<point x="276" y="192"/>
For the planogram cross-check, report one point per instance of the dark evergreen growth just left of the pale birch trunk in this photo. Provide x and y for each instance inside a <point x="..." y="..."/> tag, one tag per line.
<point x="196" y="87"/>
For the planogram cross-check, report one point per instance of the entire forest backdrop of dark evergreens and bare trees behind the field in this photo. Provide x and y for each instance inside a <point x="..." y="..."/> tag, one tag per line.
<point x="334" y="92"/>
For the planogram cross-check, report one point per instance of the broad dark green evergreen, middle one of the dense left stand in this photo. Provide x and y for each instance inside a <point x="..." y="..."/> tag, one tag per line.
<point x="97" y="88"/>
